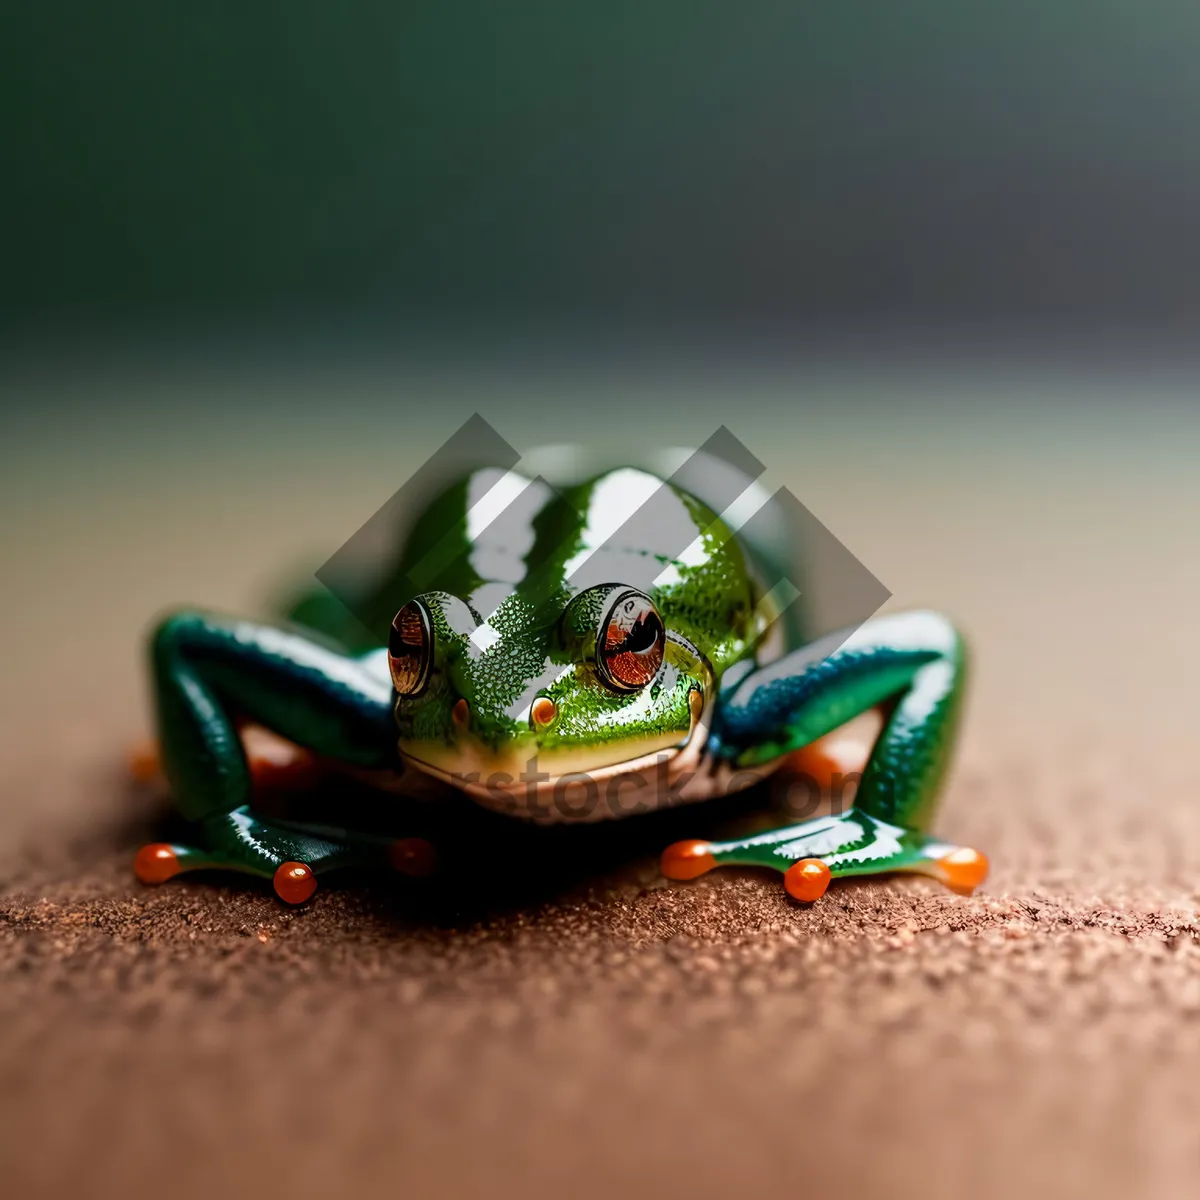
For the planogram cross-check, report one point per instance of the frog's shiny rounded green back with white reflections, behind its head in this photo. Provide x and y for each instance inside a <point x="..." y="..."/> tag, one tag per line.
<point x="493" y="533"/>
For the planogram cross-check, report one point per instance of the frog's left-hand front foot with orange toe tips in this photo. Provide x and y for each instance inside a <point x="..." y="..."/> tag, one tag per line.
<point x="291" y="856"/>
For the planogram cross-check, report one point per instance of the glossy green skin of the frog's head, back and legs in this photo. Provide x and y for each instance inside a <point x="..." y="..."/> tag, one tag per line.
<point x="321" y="685"/>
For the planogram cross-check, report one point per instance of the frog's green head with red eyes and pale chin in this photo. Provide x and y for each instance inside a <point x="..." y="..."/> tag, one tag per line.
<point x="578" y="703"/>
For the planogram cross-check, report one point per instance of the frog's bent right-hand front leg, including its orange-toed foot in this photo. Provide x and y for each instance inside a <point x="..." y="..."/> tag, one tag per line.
<point x="913" y="662"/>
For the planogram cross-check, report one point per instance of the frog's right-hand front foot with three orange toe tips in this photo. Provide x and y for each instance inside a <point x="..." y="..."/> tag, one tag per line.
<point x="815" y="853"/>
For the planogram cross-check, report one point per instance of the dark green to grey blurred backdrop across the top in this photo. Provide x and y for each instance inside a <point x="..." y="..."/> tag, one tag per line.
<point x="645" y="166"/>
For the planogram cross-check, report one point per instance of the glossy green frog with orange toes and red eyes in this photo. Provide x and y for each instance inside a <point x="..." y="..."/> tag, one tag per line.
<point x="567" y="664"/>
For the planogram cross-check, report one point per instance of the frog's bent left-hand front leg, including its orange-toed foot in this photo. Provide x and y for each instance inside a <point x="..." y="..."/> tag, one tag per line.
<point x="212" y="671"/>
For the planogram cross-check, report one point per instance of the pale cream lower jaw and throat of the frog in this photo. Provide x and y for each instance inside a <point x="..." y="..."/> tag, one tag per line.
<point x="573" y="785"/>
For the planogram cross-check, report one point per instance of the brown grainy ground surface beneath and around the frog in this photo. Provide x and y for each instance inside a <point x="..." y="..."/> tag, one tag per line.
<point x="586" y="1029"/>
